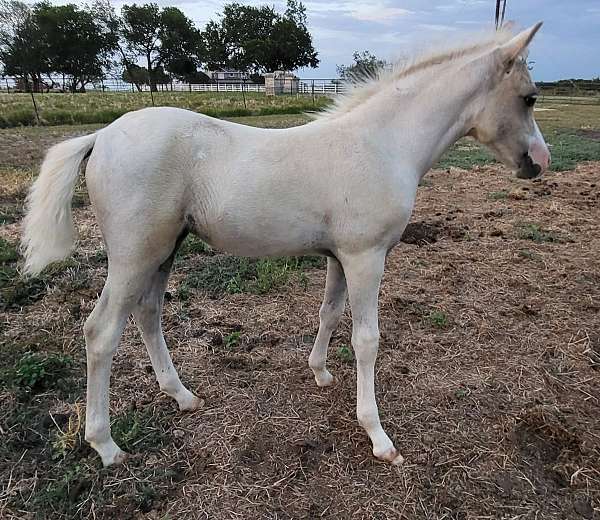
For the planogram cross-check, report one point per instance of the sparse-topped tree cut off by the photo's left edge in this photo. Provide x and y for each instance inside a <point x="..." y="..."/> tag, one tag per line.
<point x="22" y="51"/>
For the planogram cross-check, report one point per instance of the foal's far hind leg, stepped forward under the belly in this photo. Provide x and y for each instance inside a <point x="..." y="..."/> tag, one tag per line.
<point x="148" y="318"/>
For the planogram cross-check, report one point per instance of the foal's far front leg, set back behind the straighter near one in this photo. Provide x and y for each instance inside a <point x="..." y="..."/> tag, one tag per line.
<point x="330" y="314"/>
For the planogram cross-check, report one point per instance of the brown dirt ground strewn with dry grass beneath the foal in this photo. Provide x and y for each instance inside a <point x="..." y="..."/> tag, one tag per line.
<point x="488" y="377"/>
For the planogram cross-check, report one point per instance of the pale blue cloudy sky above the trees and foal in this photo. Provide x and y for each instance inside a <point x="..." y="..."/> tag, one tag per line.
<point x="567" y="46"/>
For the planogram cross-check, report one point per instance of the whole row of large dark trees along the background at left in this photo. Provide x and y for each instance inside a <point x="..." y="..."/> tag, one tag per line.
<point x="146" y="44"/>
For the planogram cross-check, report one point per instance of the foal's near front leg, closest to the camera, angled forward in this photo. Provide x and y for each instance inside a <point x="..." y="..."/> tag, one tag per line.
<point x="363" y="276"/>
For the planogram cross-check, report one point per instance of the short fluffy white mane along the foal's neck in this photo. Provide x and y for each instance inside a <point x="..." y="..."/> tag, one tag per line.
<point x="359" y="90"/>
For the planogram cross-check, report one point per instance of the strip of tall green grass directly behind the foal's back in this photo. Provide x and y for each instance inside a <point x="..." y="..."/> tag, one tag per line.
<point x="94" y="107"/>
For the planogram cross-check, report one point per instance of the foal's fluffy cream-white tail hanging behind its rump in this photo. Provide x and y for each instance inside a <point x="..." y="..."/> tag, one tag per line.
<point x="48" y="232"/>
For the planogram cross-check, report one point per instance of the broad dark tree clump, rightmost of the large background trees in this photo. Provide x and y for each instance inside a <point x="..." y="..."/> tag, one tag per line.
<point x="258" y="39"/>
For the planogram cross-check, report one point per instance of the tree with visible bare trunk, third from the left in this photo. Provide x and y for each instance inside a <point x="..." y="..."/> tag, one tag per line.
<point x="164" y="38"/>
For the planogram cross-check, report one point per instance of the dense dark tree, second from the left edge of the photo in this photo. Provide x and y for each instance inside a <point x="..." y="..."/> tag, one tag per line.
<point x="76" y="43"/>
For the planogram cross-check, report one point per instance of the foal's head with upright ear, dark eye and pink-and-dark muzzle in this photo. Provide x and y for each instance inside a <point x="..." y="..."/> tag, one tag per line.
<point x="504" y="118"/>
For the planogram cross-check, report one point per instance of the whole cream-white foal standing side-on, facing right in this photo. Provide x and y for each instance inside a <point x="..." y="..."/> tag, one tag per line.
<point x="342" y="186"/>
